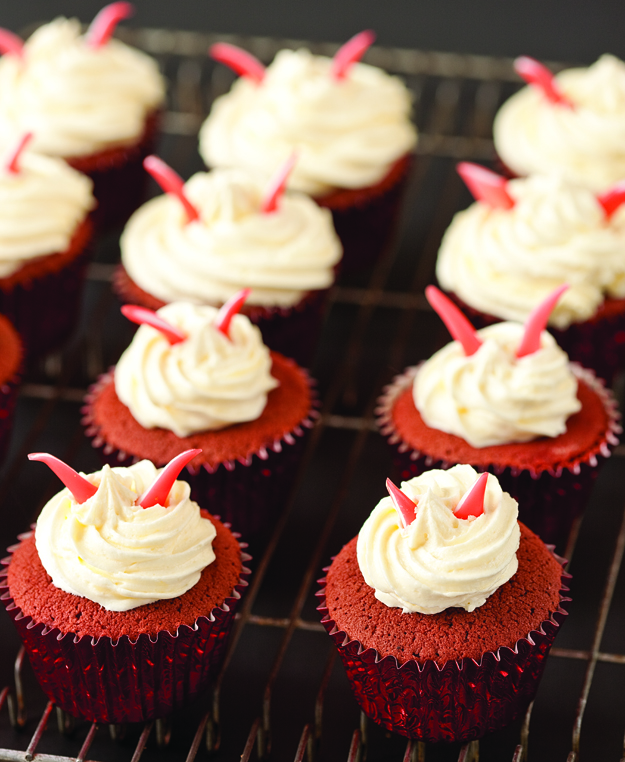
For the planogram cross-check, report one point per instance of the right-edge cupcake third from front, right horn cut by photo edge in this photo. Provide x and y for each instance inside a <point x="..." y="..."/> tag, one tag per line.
<point x="504" y="254"/>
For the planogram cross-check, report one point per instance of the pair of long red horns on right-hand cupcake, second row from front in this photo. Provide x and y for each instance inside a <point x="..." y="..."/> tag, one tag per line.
<point x="463" y="332"/>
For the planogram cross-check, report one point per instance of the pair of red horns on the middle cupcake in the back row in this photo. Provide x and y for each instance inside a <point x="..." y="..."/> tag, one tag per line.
<point x="246" y="65"/>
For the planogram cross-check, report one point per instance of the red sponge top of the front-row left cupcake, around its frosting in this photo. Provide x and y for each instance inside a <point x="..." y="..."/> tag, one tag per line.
<point x="32" y="590"/>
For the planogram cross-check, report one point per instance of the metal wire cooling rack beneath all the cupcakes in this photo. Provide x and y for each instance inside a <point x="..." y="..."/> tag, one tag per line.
<point x="282" y="690"/>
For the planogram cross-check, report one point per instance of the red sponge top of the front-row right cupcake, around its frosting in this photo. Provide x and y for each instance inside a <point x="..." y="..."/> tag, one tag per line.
<point x="511" y="613"/>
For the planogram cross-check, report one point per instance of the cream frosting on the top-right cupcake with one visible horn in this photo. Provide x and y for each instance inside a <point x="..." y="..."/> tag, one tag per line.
<point x="585" y="144"/>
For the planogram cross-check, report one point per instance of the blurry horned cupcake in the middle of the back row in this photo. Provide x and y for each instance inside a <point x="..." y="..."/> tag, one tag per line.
<point x="349" y="122"/>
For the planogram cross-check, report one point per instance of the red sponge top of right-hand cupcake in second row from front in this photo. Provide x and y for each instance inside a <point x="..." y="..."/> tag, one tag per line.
<point x="584" y="431"/>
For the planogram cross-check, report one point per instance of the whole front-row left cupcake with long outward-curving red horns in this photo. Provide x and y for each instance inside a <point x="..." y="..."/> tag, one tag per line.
<point x="124" y="593"/>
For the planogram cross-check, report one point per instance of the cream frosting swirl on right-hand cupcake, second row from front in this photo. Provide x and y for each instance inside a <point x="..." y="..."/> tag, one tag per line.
<point x="492" y="397"/>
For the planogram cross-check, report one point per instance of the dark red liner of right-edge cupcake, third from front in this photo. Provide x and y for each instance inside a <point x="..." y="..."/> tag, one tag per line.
<point x="597" y="343"/>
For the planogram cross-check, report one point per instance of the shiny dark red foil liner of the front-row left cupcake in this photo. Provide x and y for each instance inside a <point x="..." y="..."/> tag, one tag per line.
<point x="114" y="681"/>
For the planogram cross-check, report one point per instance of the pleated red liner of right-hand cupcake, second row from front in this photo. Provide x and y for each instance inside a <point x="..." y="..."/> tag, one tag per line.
<point x="549" y="498"/>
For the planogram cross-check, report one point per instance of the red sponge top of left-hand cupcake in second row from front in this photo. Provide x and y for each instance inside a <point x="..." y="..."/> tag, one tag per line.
<point x="287" y="406"/>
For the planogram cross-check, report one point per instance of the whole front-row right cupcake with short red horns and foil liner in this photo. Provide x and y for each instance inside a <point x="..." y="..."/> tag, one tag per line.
<point x="444" y="608"/>
